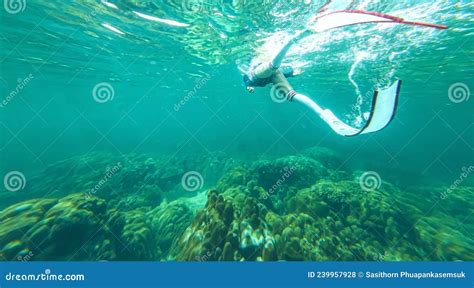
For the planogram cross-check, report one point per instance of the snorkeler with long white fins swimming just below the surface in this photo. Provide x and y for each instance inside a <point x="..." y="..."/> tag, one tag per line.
<point x="384" y="102"/>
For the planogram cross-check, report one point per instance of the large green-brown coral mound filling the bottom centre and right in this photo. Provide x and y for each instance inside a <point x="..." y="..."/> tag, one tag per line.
<point x="330" y="220"/>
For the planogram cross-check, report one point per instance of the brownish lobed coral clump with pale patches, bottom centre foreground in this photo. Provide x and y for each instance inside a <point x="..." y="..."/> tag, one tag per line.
<point x="219" y="232"/>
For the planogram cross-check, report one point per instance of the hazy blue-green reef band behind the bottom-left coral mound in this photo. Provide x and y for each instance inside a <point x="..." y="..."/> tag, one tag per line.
<point x="128" y="181"/>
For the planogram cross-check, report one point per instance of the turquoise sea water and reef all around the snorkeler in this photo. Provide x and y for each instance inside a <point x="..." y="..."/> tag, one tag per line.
<point x="126" y="133"/>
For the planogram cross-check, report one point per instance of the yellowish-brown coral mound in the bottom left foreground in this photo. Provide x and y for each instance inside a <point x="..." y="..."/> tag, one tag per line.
<point x="82" y="228"/>
